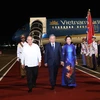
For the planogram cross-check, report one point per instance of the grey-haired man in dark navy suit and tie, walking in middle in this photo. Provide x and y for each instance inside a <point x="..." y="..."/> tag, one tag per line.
<point x="53" y="59"/>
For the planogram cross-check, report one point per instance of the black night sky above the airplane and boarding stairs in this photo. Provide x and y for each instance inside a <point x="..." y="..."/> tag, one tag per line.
<point x="16" y="14"/>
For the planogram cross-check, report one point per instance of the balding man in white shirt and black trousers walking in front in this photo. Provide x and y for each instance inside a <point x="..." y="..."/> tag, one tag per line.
<point x="31" y="60"/>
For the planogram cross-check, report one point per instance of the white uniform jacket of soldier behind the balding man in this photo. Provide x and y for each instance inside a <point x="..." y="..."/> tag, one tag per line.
<point x="20" y="49"/>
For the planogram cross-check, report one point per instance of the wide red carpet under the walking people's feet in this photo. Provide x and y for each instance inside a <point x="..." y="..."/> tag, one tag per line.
<point x="12" y="87"/>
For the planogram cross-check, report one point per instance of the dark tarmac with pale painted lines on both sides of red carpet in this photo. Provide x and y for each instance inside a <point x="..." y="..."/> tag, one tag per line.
<point x="8" y="58"/>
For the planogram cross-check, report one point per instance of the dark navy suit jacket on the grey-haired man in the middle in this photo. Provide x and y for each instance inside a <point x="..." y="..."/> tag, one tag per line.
<point x="51" y="56"/>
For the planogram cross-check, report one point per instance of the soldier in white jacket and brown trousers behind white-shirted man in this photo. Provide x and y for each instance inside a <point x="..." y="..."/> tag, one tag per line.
<point x="19" y="54"/>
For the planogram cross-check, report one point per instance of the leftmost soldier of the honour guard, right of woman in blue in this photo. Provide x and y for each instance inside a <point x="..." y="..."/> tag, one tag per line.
<point x="83" y="52"/>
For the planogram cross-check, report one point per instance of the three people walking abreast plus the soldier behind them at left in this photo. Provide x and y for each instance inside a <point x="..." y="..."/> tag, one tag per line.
<point x="54" y="56"/>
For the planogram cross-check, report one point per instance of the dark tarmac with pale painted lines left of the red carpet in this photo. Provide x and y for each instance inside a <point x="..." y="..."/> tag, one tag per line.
<point x="7" y="58"/>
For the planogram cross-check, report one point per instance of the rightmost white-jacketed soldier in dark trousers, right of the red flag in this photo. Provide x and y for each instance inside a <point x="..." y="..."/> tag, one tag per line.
<point x="94" y="52"/>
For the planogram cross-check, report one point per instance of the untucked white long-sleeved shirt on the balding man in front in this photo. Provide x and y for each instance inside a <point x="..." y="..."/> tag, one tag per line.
<point x="31" y="55"/>
